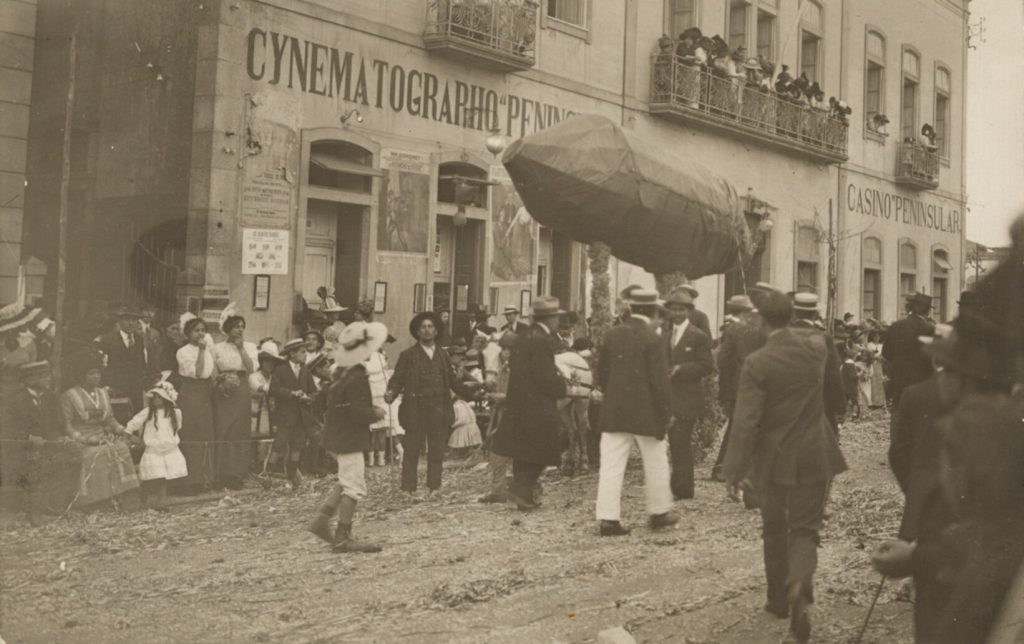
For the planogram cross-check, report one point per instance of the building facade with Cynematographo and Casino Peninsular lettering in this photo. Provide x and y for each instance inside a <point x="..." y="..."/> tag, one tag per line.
<point x="251" y="152"/>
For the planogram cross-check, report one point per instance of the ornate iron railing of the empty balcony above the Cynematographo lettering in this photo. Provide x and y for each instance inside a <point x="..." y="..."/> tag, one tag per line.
<point x="506" y="27"/>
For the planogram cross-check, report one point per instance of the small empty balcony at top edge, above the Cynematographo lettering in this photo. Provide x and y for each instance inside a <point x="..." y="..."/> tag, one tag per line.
<point x="495" y="34"/>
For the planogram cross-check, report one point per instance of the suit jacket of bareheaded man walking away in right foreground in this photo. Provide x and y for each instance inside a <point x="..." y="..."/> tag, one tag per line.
<point x="780" y="423"/>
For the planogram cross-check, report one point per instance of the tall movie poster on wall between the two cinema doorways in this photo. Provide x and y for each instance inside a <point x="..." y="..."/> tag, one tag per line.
<point x="405" y="212"/>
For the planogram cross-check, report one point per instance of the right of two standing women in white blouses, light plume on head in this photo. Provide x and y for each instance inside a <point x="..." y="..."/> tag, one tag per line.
<point x="236" y="361"/>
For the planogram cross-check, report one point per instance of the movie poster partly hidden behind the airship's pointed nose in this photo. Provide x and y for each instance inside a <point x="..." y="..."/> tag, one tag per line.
<point x="515" y="235"/>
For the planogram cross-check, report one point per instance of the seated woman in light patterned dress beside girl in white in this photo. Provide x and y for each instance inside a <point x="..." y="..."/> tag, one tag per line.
<point x="107" y="468"/>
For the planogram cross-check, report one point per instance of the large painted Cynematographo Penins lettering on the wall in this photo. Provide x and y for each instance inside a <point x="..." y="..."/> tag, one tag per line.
<point x="316" y="69"/>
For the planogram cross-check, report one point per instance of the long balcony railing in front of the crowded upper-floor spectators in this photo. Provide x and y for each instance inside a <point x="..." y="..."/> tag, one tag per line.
<point x="697" y="97"/>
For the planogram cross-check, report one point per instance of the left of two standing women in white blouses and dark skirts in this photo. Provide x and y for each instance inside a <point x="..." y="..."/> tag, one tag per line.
<point x="196" y="370"/>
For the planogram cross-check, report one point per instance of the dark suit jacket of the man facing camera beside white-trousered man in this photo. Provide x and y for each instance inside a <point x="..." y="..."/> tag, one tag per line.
<point x="693" y="356"/>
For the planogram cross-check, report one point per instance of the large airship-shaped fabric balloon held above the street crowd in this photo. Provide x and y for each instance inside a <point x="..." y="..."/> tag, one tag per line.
<point x="593" y="182"/>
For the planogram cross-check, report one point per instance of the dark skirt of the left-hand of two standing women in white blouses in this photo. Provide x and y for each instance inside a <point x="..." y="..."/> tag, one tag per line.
<point x="196" y="403"/>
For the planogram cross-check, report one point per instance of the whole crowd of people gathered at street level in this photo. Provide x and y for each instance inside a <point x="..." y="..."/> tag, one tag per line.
<point x="145" y="409"/>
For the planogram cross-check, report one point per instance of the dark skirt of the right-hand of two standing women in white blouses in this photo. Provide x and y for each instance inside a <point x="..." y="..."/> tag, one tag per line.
<point x="233" y="424"/>
